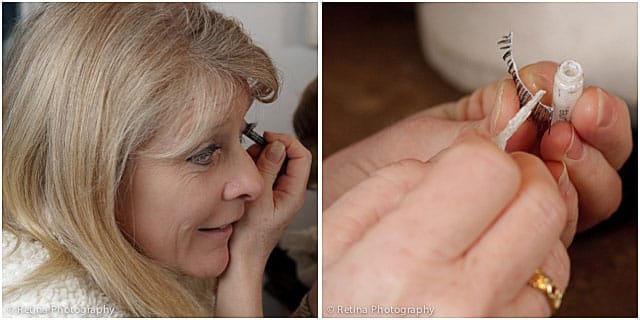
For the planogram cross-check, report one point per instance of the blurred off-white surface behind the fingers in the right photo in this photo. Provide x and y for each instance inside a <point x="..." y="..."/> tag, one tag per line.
<point x="460" y="41"/>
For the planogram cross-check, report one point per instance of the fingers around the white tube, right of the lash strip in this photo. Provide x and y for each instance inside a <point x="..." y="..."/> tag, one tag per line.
<point x="593" y="146"/>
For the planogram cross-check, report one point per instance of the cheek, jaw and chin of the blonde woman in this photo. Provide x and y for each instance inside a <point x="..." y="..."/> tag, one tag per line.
<point x="163" y="216"/>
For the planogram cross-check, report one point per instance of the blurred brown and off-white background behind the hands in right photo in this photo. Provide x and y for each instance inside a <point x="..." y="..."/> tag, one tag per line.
<point x="383" y="62"/>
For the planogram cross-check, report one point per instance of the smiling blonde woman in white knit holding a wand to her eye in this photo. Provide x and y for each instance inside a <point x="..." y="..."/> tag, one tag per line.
<point x="125" y="184"/>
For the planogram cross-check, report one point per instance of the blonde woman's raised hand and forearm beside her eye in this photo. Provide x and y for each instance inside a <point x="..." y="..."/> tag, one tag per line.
<point x="265" y="220"/>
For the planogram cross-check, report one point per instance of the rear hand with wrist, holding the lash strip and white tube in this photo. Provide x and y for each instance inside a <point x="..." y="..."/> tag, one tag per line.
<point x="601" y="123"/>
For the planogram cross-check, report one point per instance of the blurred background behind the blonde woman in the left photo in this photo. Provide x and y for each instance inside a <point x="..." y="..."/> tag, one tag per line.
<point x="288" y="33"/>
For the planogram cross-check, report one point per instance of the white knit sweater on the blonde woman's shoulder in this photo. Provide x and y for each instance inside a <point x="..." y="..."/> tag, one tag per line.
<point x="65" y="296"/>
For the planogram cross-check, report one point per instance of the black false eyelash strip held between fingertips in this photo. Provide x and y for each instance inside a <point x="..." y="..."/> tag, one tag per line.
<point x="542" y="114"/>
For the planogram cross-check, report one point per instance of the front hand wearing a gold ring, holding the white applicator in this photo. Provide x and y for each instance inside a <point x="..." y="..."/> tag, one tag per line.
<point x="461" y="233"/>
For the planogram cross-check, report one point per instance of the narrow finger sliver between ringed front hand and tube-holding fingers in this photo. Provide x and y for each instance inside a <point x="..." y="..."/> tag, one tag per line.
<point x="570" y="197"/>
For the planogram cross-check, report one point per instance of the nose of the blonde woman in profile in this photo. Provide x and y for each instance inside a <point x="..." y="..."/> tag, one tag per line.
<point x="245" y="180"/>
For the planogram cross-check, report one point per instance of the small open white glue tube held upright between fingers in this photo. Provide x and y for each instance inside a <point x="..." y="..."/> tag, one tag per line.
<point x="567" y="88"/>
